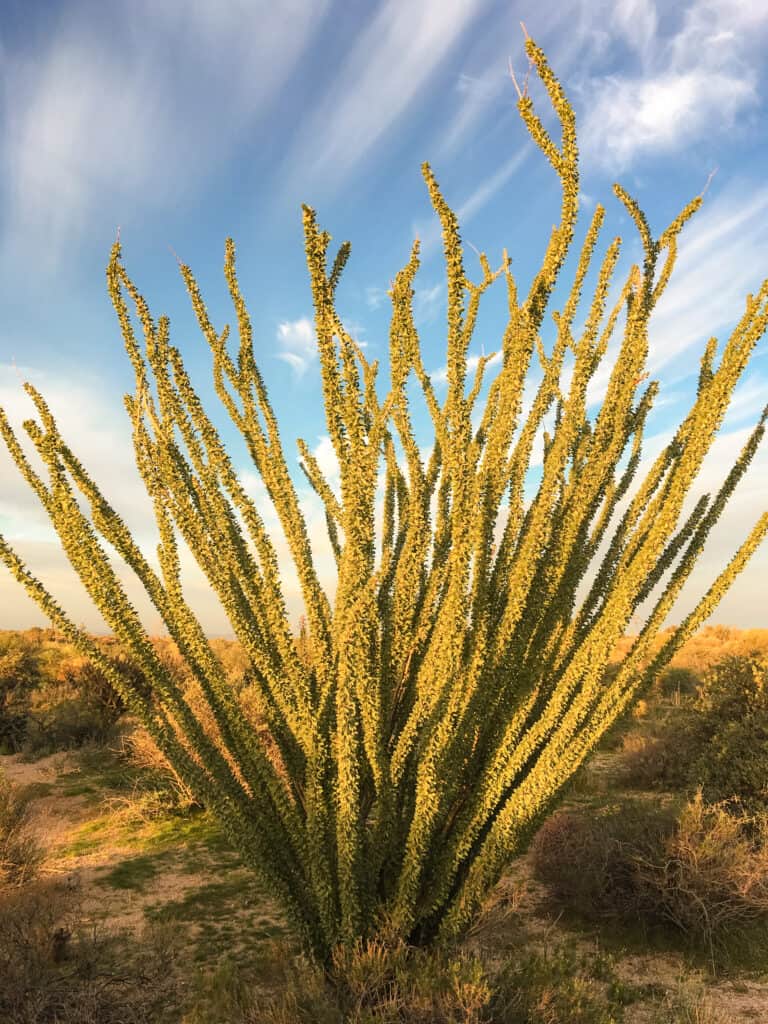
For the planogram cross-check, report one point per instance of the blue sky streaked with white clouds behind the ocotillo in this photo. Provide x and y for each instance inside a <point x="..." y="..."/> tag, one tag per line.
<point x="186" y="121"/>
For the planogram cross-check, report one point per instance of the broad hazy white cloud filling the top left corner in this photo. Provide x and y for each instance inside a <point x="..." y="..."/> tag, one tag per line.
<point x="102" y="116"/>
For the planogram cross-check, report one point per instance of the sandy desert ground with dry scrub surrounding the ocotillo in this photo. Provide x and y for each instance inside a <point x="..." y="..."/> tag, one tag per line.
<point x="639" y="901"/>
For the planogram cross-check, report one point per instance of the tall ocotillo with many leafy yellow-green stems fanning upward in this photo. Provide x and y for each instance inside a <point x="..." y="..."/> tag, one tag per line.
<point x="428" y="721"/>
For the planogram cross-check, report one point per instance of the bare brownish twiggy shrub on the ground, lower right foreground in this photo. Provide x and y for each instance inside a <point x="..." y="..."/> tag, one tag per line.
<point x="704" y="872"/>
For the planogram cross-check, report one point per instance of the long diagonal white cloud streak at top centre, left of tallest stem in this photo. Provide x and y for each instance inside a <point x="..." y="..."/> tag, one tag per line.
<point x="390" y="65"/>
